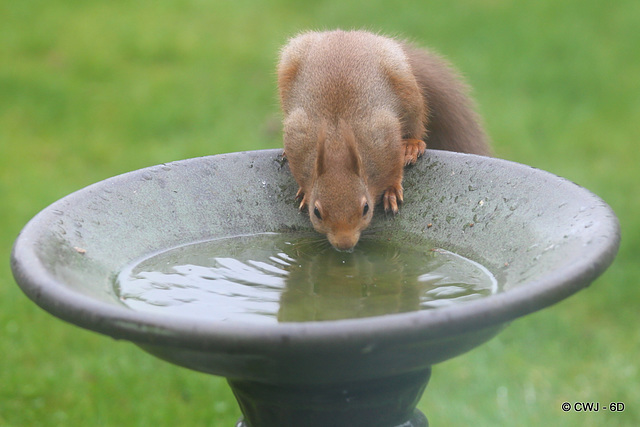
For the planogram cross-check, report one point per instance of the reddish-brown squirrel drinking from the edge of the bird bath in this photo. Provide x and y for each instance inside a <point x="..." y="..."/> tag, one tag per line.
<point x="357" y="108"/>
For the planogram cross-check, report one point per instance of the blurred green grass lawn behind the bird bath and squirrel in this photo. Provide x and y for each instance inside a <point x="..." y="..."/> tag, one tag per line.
<point x="90" y="89"/>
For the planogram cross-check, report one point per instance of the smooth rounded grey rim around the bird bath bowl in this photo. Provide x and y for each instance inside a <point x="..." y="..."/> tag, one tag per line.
<point x="122" y="322"/>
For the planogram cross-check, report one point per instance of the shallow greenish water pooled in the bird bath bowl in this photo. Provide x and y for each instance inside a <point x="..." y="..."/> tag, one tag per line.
<point x="294" y="277"/>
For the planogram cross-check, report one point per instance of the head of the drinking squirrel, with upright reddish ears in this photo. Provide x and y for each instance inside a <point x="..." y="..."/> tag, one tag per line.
<point x="340" y="204"/>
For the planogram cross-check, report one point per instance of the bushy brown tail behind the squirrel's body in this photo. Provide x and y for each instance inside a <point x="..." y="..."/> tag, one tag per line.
<point x="453" y="124"/>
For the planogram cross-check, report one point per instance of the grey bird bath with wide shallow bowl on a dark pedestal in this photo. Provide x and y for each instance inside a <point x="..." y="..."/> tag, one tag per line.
<point x="539" y="237"/>
